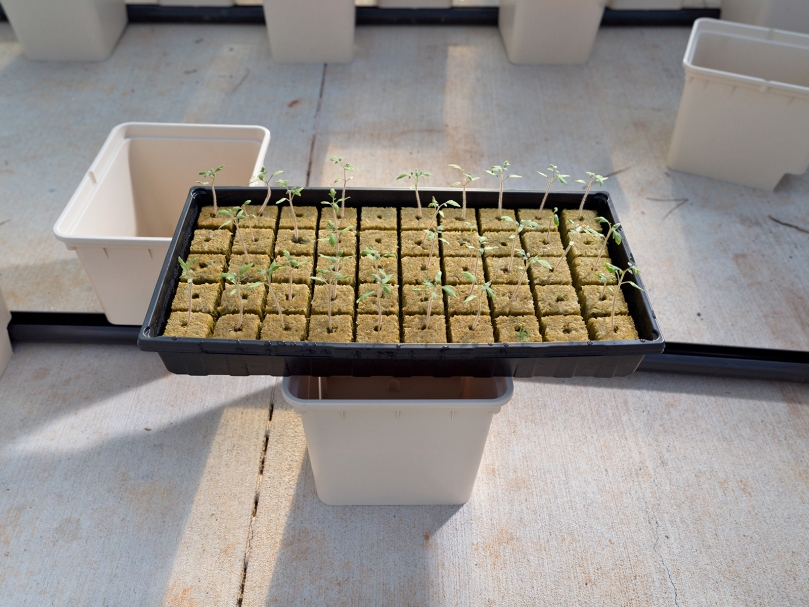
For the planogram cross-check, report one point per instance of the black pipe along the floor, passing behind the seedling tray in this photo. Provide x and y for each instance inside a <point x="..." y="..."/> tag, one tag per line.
<point x="679" y="358"/>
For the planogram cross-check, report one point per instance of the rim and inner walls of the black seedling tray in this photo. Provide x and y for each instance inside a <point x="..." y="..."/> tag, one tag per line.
<point x="476" y="198"/>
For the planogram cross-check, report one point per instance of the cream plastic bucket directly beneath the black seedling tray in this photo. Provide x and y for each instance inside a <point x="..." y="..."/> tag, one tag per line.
<point x="396" y="441"/>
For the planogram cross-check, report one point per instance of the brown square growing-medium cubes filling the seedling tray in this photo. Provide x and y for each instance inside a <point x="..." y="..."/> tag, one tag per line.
<point x="566" y="292"/>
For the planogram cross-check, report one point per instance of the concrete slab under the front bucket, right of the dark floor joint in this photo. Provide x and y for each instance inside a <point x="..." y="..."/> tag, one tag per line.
<point x="650" y="490"/>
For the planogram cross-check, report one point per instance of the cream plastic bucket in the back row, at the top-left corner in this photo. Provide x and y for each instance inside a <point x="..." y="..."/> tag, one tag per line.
<point x="66" y="30"/>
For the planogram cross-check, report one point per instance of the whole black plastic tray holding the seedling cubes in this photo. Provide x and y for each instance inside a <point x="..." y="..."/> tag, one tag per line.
<point x="194" y="356"/>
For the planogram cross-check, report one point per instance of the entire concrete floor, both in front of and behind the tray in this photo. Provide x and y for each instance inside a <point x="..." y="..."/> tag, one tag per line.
<point x="121" y="484"/>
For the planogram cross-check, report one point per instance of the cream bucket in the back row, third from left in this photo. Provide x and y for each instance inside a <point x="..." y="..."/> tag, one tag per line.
<point x="549" y="31"/>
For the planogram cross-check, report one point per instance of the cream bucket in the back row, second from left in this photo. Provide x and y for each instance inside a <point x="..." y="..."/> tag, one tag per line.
<point x="310" y="31"/>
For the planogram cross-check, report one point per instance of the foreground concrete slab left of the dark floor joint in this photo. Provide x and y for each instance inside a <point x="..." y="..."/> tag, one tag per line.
<point x="97" y="510"/>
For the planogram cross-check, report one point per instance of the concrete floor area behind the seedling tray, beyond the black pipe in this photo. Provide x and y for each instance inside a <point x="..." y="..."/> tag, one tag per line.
<point x="718" y="267"/>
